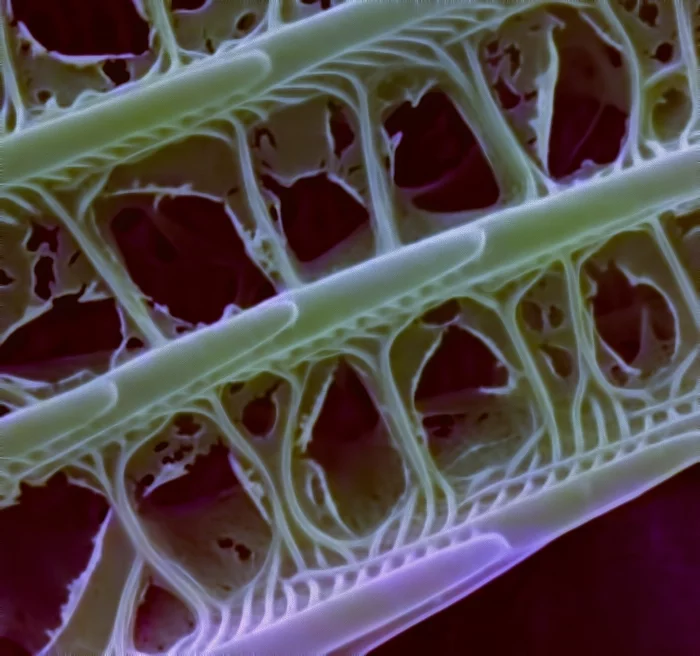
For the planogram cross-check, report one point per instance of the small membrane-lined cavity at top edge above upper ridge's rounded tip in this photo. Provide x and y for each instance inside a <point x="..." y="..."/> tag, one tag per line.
<point x="204" y="26"/>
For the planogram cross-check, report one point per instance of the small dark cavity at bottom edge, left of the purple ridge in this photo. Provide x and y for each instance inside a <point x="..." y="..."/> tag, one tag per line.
<point x="161" y="620"/>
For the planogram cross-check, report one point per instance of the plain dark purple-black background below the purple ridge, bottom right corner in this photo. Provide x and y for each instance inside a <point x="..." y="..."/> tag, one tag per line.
<point x="626" y="583"/>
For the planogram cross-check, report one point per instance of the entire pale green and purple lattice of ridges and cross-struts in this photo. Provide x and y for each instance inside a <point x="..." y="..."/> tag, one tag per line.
<point x="322" y="590"/>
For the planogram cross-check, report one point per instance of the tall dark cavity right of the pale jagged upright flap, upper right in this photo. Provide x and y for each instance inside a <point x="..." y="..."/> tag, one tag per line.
<point x="591" y="100"/>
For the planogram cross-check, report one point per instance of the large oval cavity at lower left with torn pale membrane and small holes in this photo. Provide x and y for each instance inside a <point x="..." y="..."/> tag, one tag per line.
<point x="187" y="489"/>
